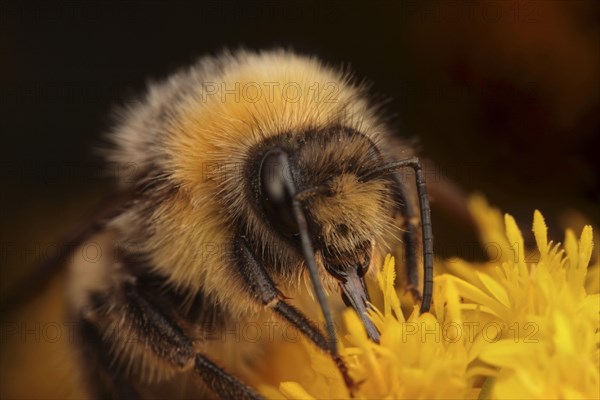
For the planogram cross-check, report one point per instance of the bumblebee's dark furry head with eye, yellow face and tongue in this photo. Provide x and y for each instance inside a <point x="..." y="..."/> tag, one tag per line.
<point x="313" y="192"/>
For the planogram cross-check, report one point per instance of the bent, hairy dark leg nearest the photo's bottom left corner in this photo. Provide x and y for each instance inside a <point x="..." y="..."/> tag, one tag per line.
<point x="128" y="312"/>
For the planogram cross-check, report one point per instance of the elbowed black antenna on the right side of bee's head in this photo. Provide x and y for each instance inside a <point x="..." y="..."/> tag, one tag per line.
<point x="415" y="164"/>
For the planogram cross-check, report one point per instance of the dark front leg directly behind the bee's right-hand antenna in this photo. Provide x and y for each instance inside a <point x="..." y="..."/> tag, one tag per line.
<point x="409" y="237"/>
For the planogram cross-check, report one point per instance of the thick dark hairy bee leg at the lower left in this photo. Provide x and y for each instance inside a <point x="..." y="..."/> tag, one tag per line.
<point x="135" y="316"/>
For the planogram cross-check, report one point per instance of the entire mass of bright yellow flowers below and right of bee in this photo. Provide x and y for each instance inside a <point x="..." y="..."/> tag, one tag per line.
<point x="526" y="322"/>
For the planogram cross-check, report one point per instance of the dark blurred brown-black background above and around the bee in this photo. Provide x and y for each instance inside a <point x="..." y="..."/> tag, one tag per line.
<point x="503" y="96"/>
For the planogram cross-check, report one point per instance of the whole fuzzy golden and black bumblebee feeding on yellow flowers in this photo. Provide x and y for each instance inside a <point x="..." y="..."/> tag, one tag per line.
<point x="261" y="185"/>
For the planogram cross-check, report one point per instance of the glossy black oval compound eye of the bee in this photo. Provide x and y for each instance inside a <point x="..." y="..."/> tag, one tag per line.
<point x="277" y="191"/>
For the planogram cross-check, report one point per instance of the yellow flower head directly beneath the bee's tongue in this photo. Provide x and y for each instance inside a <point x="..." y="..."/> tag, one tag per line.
<point x="412" y="361"/>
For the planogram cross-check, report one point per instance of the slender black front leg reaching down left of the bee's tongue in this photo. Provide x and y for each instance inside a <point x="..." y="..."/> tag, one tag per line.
<point x="264" y="290"/>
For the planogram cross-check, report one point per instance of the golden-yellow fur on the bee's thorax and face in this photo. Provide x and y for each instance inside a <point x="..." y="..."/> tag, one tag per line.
<point x="201" y="141"/>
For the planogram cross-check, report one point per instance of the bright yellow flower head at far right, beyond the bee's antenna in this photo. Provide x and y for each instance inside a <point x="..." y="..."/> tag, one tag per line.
<point x="548" y="324"/>
